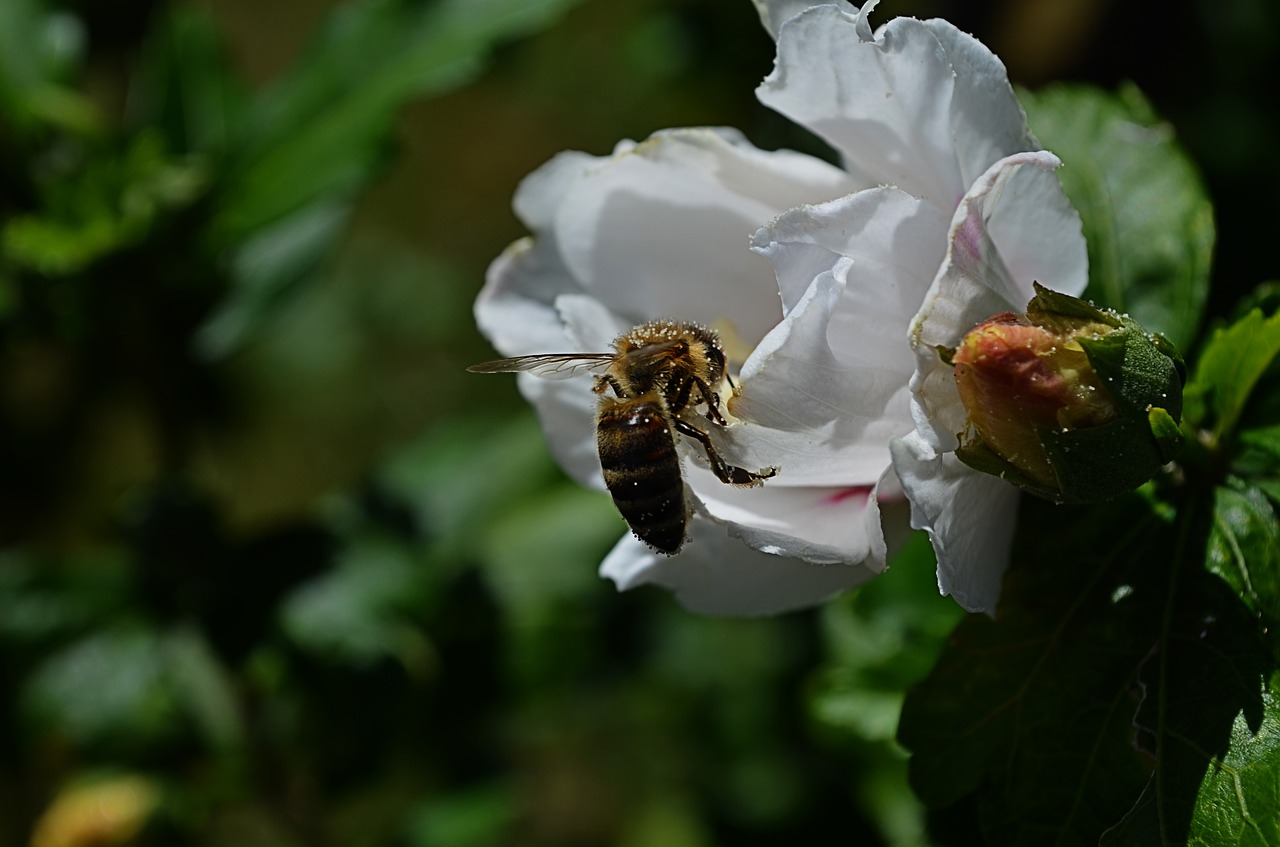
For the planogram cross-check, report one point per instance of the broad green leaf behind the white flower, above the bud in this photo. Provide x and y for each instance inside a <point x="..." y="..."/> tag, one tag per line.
<point x="1148" y="219"/>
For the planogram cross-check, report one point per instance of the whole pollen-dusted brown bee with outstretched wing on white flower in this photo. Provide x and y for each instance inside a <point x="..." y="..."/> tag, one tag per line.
<point x="660" y="374"/>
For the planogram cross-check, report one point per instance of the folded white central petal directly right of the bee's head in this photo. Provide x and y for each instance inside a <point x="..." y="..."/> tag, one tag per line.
<point x="828" y="388"/>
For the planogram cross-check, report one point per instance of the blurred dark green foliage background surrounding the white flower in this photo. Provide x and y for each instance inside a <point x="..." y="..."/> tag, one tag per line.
<point x="275" y="570"/>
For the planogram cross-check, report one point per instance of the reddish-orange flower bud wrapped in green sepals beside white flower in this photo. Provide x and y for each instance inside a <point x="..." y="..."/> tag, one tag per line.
<point x="1069" y="402"/>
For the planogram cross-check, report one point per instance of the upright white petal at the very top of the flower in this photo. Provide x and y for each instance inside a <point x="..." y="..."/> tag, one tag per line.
<point x="893" y="106"/>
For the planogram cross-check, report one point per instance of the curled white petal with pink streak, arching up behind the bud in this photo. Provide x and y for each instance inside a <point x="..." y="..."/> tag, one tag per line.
<point x="1013" y="228"/>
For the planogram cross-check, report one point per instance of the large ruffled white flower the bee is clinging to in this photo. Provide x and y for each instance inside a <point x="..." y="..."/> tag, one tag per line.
<point x="939" y="204"/>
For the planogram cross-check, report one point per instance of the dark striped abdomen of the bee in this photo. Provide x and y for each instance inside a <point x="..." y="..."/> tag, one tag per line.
<point x="642" y="470"/>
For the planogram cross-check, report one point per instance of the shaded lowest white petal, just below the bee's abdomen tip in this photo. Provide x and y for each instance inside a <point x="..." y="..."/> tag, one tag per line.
<point x="719" y="575"/>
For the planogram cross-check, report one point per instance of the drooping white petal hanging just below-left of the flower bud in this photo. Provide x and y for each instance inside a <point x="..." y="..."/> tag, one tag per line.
<point x="970" y="518"/>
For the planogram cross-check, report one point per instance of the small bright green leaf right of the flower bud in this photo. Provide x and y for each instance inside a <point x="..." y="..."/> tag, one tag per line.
<point x="1233" y="361"/>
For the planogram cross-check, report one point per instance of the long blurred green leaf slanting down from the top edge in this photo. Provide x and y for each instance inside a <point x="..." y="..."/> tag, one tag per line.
<point x="323" y="130"/>
